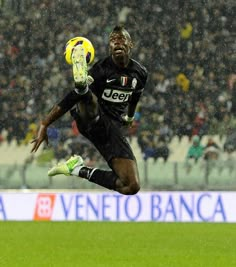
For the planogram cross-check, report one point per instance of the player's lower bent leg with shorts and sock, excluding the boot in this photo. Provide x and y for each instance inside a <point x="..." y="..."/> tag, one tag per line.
<point x="108" y="137"/>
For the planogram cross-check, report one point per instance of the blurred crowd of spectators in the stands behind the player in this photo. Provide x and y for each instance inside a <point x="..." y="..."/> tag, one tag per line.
<point x="187" y="47"/>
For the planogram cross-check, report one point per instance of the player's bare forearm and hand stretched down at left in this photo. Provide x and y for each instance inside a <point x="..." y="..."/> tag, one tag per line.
<point x="54" y="114"/>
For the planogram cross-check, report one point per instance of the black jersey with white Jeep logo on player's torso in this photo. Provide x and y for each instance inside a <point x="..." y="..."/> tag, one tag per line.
<point x="115" y="87"/>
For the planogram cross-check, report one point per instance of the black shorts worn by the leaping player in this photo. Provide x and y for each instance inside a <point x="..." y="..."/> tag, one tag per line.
<point x="107" y="135"/>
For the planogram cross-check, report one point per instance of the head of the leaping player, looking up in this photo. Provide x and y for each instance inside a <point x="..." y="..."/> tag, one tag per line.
<point x="120" y="44"/>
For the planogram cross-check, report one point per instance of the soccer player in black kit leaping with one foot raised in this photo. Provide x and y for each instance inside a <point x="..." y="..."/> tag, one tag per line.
<point x="103" y="103"/>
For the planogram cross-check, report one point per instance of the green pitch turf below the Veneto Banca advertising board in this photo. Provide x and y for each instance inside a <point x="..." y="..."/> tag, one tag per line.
<point x="94" y="244"/>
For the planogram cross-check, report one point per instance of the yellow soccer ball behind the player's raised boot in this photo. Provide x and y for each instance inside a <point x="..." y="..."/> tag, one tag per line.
<point x="88" y="46"/>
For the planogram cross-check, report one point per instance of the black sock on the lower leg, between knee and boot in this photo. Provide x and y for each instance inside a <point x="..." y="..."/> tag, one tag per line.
<point x="103" y="178"/>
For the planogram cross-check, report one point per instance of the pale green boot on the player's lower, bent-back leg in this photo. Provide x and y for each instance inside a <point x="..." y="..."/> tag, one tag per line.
<point x="67" y="167"/>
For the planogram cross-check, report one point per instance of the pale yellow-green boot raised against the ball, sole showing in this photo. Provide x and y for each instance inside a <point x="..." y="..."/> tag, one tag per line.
<point x="80" y="67"/>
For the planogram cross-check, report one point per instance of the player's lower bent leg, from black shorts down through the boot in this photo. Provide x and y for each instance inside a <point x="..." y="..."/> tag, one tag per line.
<point x="113" y="146"/>
